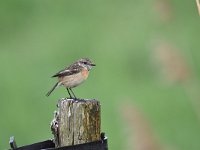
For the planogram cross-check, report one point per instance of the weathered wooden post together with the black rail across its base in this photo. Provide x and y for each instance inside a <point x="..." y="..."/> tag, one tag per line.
<point x="76" y="126"/>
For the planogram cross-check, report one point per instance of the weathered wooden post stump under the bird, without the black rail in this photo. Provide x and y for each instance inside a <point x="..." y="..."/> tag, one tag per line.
<point x="76" y="122"/>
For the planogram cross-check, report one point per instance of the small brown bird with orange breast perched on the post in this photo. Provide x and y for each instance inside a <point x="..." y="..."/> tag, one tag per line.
<point x="73" y="75"/>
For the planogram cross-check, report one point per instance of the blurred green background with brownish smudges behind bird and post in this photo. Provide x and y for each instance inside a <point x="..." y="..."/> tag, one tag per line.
<point x="147" y="73"/>
